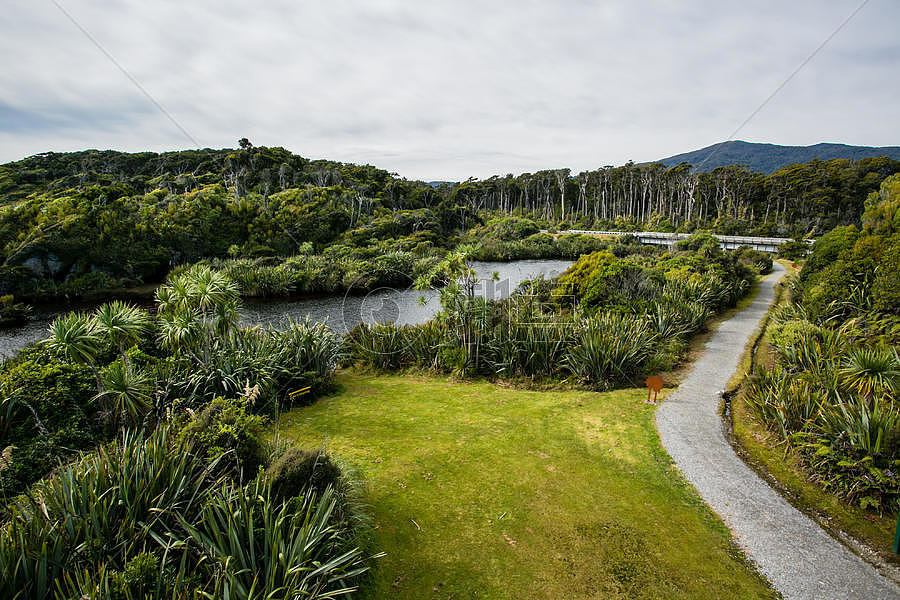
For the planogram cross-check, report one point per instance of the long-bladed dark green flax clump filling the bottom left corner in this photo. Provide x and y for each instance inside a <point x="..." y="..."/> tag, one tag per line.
<point x="111" y="506"/>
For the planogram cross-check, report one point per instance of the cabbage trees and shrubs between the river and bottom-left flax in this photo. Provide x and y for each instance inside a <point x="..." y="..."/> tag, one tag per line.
<point x="190" y="353"/>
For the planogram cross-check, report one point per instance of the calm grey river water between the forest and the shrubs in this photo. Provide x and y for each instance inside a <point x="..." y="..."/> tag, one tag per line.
<point x="343" y="312"/>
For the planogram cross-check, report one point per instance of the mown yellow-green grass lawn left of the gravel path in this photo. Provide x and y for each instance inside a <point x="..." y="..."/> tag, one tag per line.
<point x="484" y="491"/>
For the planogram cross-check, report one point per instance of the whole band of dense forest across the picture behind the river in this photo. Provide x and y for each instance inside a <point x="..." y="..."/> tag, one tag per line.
<point x="73" y="223"/>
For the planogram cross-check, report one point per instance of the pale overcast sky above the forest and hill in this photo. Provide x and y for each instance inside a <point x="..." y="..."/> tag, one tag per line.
<point x="446" y="90"/>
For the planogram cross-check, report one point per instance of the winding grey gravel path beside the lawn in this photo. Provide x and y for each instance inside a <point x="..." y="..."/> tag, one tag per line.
<point x="799" y="558"/>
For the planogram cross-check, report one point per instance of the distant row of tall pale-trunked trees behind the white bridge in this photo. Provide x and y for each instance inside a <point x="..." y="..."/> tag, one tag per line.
<point x="796" y="200"/>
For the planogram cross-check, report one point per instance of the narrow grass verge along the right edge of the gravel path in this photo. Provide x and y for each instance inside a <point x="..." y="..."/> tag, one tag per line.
<point x="869" y="536"/>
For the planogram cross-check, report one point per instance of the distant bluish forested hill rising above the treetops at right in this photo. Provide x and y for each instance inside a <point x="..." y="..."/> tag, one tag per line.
<point x="768" y="158"/>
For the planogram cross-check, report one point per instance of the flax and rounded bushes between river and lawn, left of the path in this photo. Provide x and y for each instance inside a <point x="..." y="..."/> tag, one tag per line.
<point x="625" y="318"/>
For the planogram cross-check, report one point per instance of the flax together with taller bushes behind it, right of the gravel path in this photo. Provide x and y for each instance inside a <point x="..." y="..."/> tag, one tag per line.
<point x="833" y="390"/>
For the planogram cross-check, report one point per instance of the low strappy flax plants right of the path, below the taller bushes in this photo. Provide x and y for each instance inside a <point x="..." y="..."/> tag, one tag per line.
<point x="835" y="400"/>
